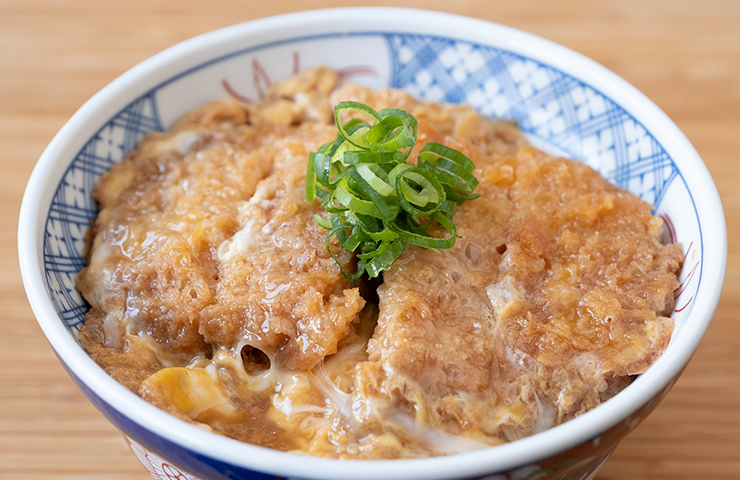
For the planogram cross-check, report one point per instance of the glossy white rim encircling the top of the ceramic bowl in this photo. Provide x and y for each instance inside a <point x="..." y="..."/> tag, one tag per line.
<point x="115" y="96"/>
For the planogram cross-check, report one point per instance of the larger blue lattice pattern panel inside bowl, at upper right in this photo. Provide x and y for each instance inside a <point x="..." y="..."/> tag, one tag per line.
<point x="548" y="104"/>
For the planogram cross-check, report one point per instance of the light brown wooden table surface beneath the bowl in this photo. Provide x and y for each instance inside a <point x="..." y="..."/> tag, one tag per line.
<point x="684" y="55"/>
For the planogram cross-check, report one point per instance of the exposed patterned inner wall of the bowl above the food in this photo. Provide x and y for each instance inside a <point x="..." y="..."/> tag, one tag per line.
<point x="557" y="111"/>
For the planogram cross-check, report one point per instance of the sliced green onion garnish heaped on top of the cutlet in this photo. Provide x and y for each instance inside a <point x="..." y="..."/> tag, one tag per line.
<point x="378" y="202"/>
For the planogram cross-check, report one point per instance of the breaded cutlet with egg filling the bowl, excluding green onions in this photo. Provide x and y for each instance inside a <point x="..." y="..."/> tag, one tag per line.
<point x="215" y="298"/>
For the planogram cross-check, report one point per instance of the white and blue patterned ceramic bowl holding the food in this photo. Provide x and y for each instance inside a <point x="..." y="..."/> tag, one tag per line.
<point x="564" y="103"/>
